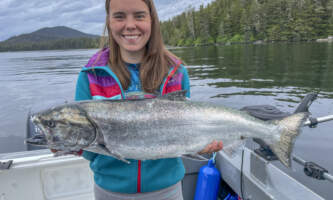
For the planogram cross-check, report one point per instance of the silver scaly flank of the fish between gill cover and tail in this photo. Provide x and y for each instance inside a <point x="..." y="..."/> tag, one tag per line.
<point x="148" y="130"/>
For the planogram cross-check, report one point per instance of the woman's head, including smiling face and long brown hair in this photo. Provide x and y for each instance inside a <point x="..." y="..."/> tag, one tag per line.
<point x="138" y="21"/>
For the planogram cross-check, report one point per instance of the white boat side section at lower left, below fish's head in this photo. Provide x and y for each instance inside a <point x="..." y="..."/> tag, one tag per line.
<point x="45" y="177"/>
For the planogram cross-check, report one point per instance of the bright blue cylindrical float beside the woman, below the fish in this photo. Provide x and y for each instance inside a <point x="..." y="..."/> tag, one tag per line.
<point x="208" y="182"/>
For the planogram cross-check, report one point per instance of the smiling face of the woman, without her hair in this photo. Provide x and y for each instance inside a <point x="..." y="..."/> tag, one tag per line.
<point x="130" y="25"/>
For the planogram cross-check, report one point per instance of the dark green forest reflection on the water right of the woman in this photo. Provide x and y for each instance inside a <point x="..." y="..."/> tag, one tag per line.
<point x="305" y="67"/>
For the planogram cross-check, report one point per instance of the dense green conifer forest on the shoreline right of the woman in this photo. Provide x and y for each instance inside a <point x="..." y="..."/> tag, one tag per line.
<point x="239" y="21"/>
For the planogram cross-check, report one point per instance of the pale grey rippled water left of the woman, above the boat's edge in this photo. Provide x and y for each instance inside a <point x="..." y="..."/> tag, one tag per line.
<point x="30" y="81"/>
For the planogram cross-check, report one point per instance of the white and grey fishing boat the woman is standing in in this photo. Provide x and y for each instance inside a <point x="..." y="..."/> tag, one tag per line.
<point x="249" y="174"/>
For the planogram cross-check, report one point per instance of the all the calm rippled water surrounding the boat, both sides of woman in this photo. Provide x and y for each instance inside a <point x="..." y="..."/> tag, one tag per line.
<point x="236" y="76"/>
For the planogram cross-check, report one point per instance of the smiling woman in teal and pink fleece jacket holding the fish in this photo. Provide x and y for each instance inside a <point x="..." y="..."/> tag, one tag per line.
<point x="136" y="65"/>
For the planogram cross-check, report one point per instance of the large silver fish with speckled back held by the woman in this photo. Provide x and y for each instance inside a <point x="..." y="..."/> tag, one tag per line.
<point x="157" y="128"/>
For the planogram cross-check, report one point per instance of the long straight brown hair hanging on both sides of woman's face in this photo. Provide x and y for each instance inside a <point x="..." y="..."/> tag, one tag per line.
<point x="156" y="61"/>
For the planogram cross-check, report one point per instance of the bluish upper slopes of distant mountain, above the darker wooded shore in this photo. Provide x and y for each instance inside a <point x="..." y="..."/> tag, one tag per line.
<point x="49" y="34"/>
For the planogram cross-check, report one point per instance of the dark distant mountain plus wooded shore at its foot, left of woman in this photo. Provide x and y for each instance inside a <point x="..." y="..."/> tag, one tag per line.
<point x="59" y="37"/>
